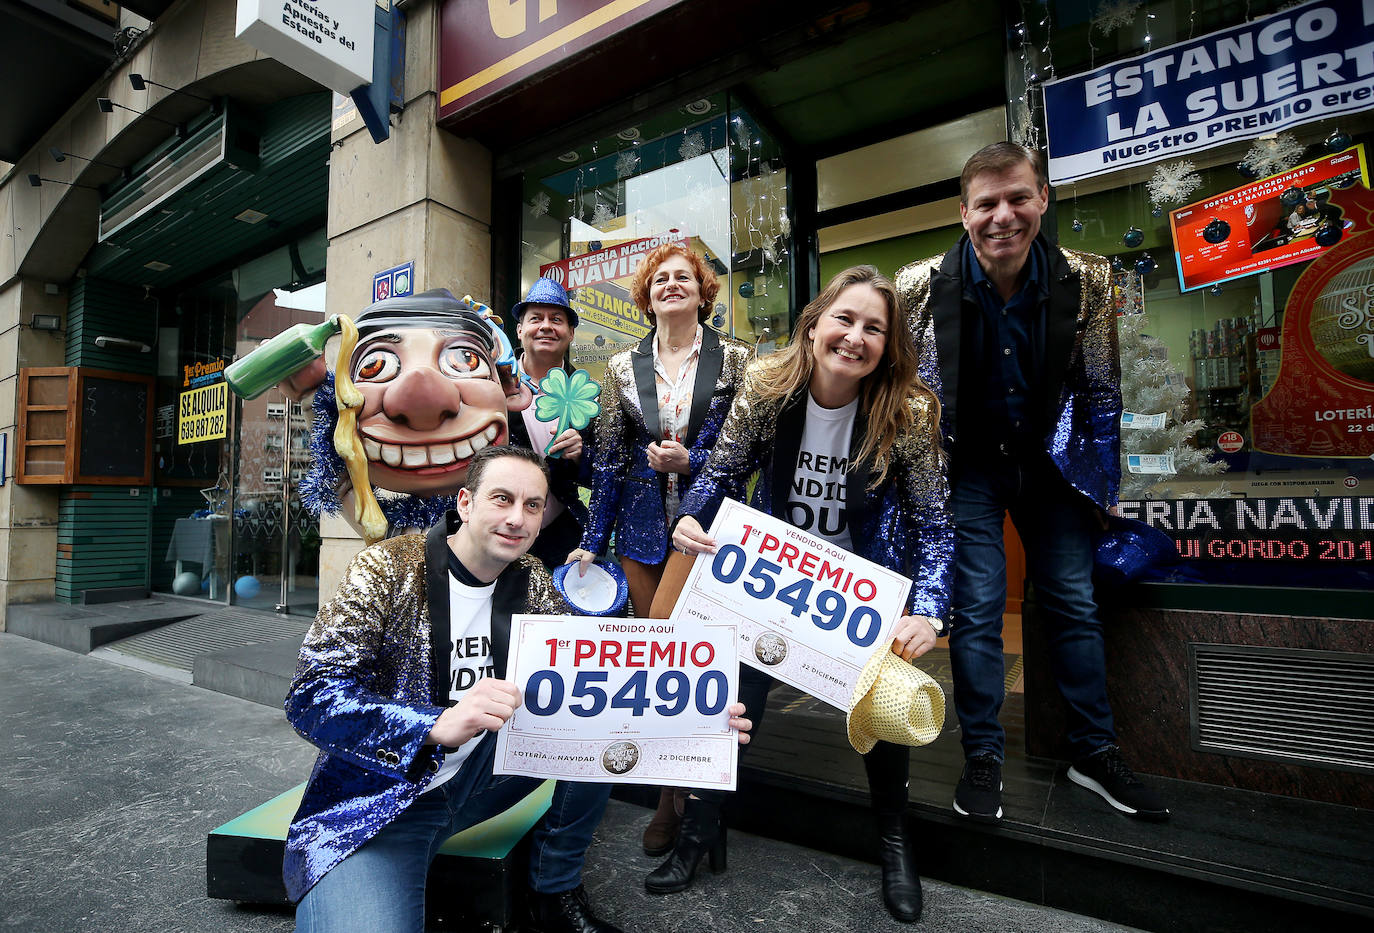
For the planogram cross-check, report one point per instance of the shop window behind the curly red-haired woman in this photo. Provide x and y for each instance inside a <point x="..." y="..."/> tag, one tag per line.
<point x="704" y="175"/>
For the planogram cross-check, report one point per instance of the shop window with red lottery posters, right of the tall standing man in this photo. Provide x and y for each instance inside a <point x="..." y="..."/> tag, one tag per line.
<point x="1246" y="318"/>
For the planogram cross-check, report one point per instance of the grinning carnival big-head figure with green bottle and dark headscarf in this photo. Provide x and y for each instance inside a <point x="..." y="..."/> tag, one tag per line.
<point x="420" y="385"/>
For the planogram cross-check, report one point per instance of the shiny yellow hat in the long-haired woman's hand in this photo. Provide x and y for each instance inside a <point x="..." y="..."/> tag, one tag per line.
<point x="894" y="703"/>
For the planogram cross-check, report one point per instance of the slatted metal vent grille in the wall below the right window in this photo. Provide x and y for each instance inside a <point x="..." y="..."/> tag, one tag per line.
<point x="1303" y="707"/>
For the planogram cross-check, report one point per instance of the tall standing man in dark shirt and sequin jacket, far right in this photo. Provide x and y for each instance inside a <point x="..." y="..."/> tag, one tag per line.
<point x="1020" y="337"/>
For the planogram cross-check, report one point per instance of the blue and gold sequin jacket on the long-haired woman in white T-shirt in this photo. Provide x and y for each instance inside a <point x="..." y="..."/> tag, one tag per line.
<point x="903" y="524"/>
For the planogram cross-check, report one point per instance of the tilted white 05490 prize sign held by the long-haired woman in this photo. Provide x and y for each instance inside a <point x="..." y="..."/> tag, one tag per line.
<point x="809" y="612"/>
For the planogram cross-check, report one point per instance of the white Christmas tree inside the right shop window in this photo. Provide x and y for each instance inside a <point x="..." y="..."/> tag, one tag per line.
<point x="1151" y="385"/>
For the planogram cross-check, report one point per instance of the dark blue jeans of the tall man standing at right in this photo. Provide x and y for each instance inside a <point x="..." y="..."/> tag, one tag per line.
<point x="1059" y="527"/>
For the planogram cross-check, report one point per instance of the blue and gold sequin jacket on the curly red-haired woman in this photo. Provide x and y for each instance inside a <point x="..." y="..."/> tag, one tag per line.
<point x="627" y="494"/>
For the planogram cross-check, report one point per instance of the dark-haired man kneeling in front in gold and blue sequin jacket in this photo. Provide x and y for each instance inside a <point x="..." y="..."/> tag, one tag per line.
<point x="414" y="623"/>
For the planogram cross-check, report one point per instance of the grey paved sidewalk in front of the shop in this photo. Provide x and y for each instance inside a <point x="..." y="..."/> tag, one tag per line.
<point x="111" y="780"/>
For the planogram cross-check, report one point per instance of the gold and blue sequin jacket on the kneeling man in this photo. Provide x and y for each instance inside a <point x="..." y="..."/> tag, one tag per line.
<point x="370" y="685"/>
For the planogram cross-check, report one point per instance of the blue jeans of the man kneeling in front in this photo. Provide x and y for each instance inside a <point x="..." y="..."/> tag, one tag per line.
<point x="381" y="887"/>
